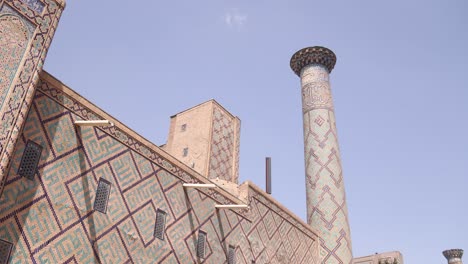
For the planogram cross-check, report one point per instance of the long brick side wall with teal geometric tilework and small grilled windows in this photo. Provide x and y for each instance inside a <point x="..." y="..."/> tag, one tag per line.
<point x="51" y="219"/>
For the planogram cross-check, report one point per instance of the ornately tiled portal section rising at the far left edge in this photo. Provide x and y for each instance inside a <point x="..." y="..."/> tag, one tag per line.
<point x="22" y="57"/>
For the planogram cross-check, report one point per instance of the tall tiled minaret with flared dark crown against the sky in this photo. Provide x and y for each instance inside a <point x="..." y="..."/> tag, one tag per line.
<point x="326" y="200"/>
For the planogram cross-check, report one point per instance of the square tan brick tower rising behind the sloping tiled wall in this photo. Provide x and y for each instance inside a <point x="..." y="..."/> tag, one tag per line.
<point x="206" y="138"/>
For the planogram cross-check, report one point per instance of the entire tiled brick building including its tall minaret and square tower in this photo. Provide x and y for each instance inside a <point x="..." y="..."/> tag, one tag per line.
<point x="78" y="186"/>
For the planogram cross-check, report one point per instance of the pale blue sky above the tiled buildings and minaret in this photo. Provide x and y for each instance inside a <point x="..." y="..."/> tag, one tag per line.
<point x="400" y="90"/>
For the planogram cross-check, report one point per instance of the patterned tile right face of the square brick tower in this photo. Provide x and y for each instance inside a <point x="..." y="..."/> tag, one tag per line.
<point x="223" y="156"/>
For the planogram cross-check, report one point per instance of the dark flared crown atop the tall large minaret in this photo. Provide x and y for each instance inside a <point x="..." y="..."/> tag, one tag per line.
<point x="312" y="55"/>
